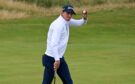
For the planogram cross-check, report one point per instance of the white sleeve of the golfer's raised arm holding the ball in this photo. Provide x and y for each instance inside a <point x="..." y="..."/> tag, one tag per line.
<point x="74" y="22"/>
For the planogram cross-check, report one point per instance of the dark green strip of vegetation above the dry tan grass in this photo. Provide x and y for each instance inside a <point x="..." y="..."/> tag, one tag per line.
<point x="50" y="3"/>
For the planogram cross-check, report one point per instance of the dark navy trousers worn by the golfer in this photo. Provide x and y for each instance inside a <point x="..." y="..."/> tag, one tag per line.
<point x="63" y="71"/>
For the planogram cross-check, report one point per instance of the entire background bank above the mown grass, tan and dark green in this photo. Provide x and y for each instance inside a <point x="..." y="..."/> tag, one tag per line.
<point x="12" y="9"/>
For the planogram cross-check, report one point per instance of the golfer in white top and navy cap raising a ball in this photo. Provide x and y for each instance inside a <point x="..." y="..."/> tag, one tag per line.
<point x="57" y="39"/>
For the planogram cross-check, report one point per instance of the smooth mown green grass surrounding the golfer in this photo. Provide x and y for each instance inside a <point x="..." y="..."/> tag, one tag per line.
<point x="101" y="52"/>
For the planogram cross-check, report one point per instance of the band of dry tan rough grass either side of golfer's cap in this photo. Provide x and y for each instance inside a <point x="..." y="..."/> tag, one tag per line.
<point x="12" y="10"/>
